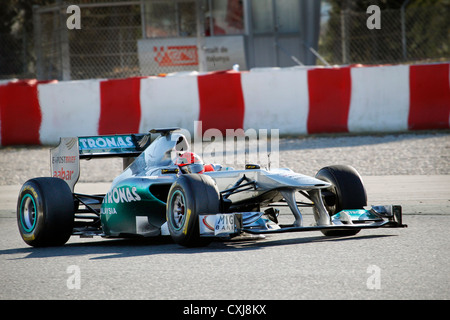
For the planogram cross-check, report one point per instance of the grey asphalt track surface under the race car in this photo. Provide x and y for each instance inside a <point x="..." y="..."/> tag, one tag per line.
<point x="409" y="263"/>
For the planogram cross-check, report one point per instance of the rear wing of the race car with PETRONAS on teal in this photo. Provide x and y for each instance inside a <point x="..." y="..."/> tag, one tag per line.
<point x="65" y="158"/>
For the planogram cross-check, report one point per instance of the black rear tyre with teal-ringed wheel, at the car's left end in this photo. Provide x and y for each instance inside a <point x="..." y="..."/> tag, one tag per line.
<point x="45" y="212"/>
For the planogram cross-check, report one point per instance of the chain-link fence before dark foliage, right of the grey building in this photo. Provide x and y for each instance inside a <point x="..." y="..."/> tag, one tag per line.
<point x="405" y="36"/>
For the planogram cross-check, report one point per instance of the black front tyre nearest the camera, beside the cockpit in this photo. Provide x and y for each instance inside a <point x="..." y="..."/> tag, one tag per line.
<point x="189" y="196"/>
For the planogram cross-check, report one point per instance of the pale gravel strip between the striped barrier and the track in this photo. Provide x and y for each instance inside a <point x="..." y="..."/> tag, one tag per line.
<point x="422" y="153"/>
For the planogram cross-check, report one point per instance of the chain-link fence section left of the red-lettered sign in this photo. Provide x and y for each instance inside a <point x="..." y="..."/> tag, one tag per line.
<point x="105" y="46"/>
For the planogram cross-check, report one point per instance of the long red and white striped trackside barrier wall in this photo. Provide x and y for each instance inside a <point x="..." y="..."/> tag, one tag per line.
<point x="293" y="100"/>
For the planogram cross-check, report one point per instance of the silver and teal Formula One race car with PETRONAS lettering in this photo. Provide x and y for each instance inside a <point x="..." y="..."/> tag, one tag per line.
<point x="153" y="196"/>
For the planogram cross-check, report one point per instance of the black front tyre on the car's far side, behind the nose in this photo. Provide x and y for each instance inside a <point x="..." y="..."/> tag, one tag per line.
<point x="347" y="191"/>
